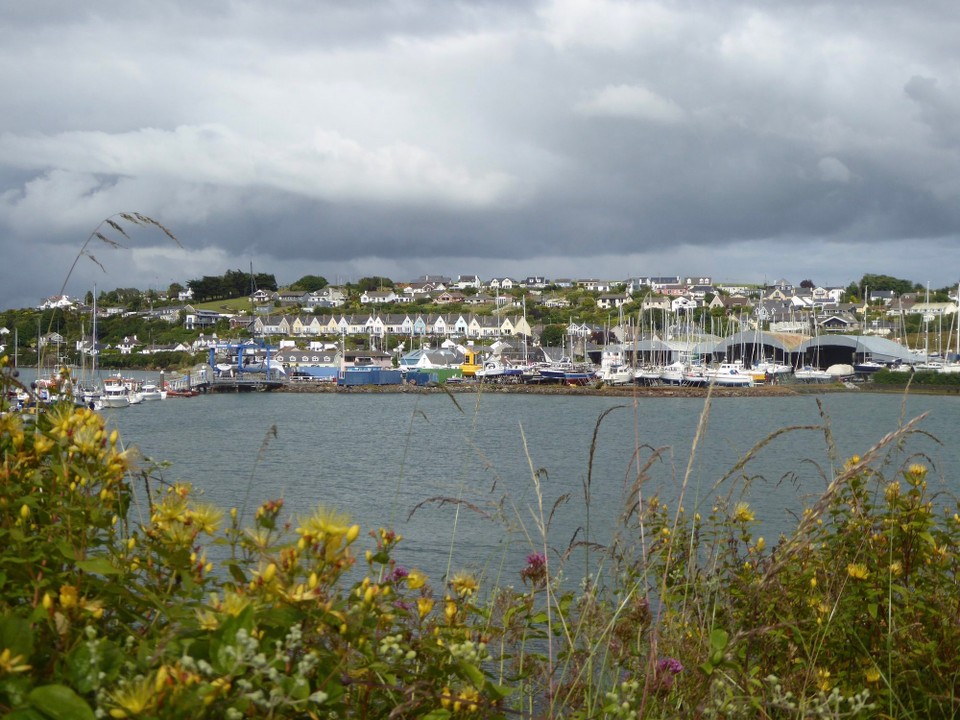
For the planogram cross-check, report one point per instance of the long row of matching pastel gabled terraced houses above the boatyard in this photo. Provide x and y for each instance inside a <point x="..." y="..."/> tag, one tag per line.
<point x="381" y="325"/>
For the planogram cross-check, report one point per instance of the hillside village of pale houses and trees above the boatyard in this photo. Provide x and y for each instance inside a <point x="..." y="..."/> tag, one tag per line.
<point x="434" y="308"/>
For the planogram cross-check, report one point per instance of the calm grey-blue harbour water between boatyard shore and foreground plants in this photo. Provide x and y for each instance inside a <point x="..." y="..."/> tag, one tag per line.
<point x="381" y="457"/>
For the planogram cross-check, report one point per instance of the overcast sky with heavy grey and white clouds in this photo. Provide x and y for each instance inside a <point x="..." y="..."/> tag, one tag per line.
<point x="744" y="140"/>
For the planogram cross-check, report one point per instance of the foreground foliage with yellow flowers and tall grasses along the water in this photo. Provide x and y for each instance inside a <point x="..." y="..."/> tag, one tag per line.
<point x="112" y="608"/>
